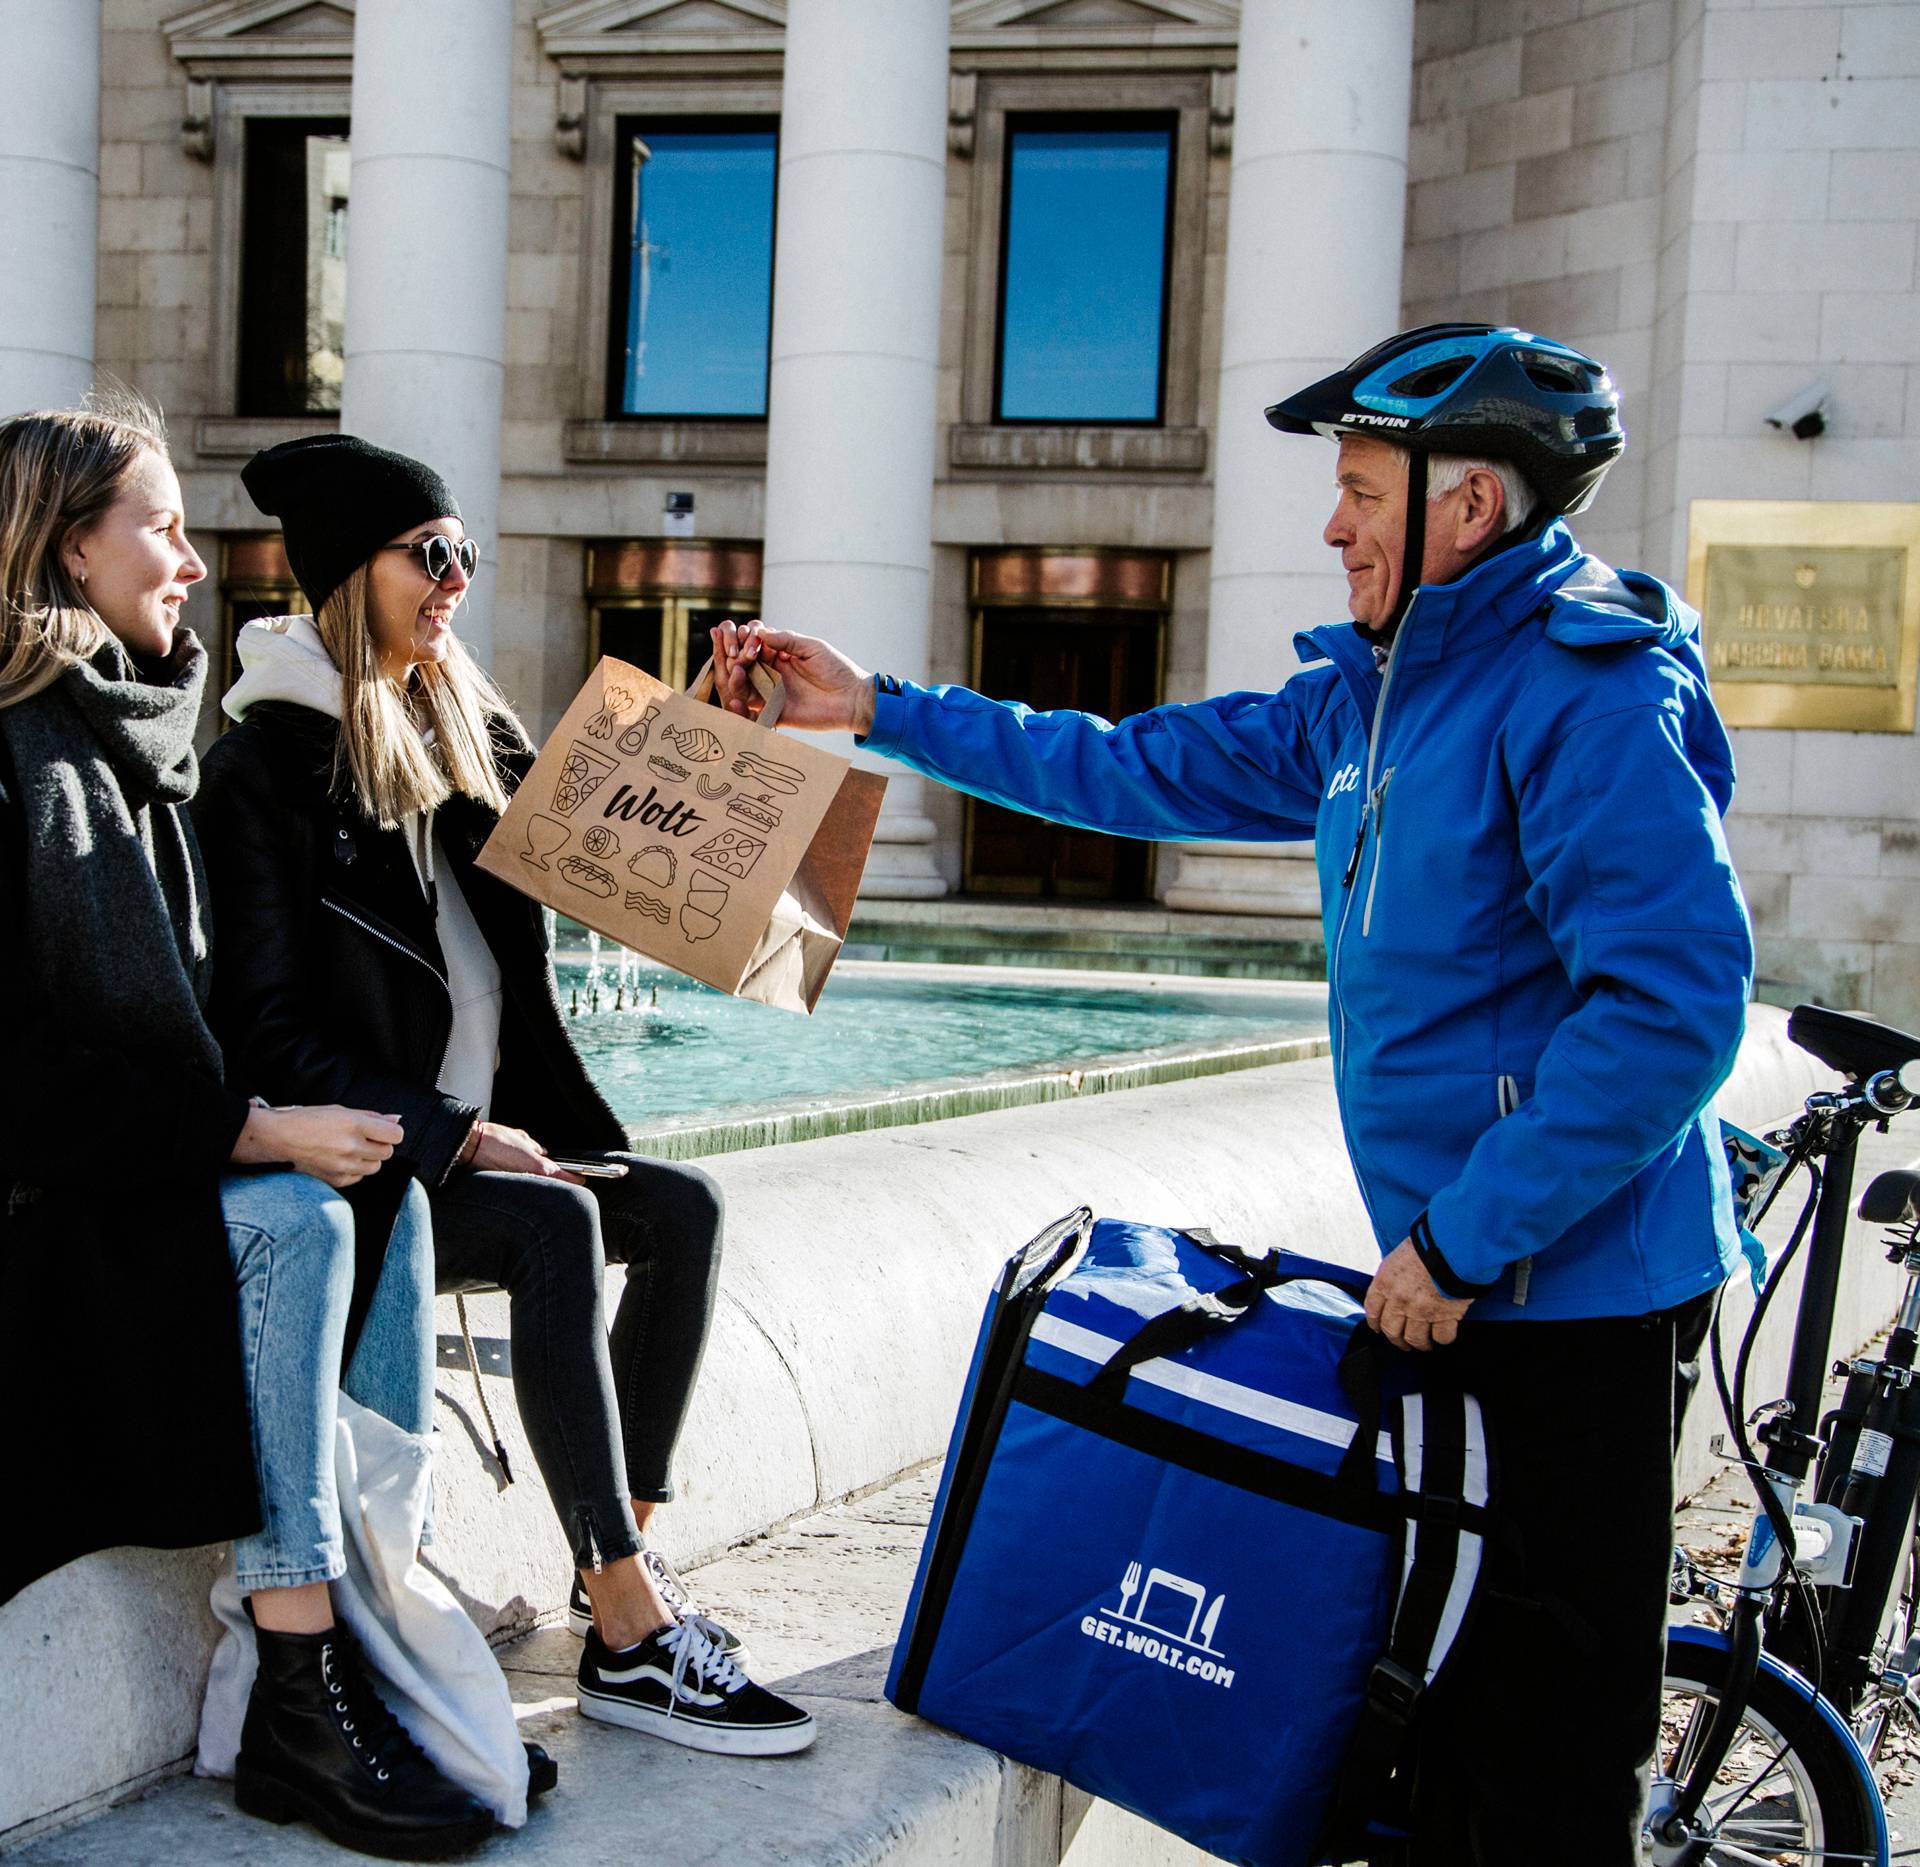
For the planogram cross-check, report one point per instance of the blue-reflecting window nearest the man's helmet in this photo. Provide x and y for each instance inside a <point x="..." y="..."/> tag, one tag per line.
<point x="1084" y="291"/>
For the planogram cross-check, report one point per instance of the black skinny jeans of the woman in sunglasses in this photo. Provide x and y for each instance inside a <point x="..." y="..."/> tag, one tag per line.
<point x="602" y="1417"/>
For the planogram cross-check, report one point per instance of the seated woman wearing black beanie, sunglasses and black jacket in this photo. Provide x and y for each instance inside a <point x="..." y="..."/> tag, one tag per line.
<point x="366" y="956"/>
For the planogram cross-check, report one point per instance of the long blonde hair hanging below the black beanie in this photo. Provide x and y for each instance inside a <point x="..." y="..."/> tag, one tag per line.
<point x="385" y="748"/>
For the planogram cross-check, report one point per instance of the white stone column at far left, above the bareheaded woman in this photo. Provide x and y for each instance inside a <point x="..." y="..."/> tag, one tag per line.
<point x="49" y="203"/>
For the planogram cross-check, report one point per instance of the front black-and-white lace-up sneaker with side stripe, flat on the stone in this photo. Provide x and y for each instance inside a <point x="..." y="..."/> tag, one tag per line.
<point x="679" y="1685"/>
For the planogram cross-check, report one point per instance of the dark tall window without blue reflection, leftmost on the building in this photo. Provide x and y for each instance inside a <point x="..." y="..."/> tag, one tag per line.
<point x="293" y="266"/>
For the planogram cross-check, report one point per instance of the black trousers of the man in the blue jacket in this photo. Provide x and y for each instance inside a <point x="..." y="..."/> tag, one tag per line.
<point x="1537" y="1741"/>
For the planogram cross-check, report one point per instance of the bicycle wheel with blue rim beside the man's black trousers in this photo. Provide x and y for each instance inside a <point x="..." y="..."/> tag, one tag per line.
<point x="1792" y="1789"/>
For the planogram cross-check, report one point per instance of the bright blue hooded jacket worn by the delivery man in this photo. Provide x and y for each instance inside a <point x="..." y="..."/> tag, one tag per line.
<point x="1537" y="950"/>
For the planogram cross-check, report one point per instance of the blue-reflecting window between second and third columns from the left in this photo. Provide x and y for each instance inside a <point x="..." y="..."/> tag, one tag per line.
<point x="700" y="274"/>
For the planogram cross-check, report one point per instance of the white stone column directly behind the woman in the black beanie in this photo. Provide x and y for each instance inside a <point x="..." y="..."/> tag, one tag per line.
<point x="427" y="253"/>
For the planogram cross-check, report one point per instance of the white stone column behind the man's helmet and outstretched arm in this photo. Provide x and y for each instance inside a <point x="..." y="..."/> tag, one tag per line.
<point x="1314" y="243"/>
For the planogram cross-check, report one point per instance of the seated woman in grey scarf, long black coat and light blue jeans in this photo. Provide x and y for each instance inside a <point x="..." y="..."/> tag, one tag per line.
<point x="176" y="1267"/>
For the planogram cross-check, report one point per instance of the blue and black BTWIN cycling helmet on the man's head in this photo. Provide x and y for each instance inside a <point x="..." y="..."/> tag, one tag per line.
<point x="1483" y="391"/>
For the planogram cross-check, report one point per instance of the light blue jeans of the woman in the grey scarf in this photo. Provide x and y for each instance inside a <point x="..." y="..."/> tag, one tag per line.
<point x="293" y="1248"/>
